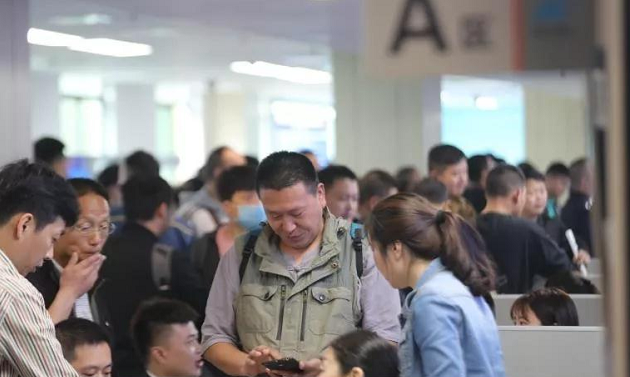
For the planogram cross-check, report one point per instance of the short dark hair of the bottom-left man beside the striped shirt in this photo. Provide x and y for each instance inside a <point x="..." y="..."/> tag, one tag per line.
<point x="76" y="332"/>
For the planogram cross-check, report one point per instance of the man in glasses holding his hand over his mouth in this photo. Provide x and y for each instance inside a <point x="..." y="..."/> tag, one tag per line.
<point x="68" y="279"/>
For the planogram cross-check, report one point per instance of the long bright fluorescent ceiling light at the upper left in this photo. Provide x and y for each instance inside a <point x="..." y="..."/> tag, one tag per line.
<point x="99" y="46"/>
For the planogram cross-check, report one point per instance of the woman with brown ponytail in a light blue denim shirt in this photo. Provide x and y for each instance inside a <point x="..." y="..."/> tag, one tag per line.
<point x="449" y="329"/>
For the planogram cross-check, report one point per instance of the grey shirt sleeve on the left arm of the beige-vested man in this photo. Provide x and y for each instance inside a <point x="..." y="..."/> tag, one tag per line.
<point x="220" y="323"/>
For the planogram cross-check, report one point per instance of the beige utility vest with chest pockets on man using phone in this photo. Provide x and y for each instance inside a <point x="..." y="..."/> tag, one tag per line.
<point x="299" y="317"/>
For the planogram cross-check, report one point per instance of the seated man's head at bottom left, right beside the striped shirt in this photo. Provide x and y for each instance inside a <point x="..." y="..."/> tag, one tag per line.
<point x="85" y="346"/>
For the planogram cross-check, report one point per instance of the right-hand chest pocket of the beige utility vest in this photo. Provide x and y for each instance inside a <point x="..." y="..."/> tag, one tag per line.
<point x="331" y="312"/>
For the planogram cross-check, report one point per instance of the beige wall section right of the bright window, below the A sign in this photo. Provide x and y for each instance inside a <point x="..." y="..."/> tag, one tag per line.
<point x="556" y="127"/>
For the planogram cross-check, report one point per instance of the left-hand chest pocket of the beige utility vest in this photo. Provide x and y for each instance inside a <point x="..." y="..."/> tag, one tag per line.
<point x="255" y="308"/>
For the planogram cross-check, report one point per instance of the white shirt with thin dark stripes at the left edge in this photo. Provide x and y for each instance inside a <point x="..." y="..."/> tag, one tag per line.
<point x="28" y="347"/>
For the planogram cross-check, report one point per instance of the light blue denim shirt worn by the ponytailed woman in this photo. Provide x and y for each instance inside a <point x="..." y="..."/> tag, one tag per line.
<point x="448" y="332"/>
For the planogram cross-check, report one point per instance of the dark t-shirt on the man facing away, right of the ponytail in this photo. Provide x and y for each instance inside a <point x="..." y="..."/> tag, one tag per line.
<point x="521" y="250"/>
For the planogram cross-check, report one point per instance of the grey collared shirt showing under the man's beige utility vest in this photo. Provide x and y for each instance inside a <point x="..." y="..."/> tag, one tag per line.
<point x="379" y="301"/>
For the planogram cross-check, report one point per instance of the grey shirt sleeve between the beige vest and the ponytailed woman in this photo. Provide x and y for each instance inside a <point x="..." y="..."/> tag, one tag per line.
<point x="380" y="302"/>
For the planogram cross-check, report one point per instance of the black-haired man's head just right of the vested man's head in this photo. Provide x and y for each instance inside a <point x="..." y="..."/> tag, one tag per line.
<point x="342" y="191"/>
